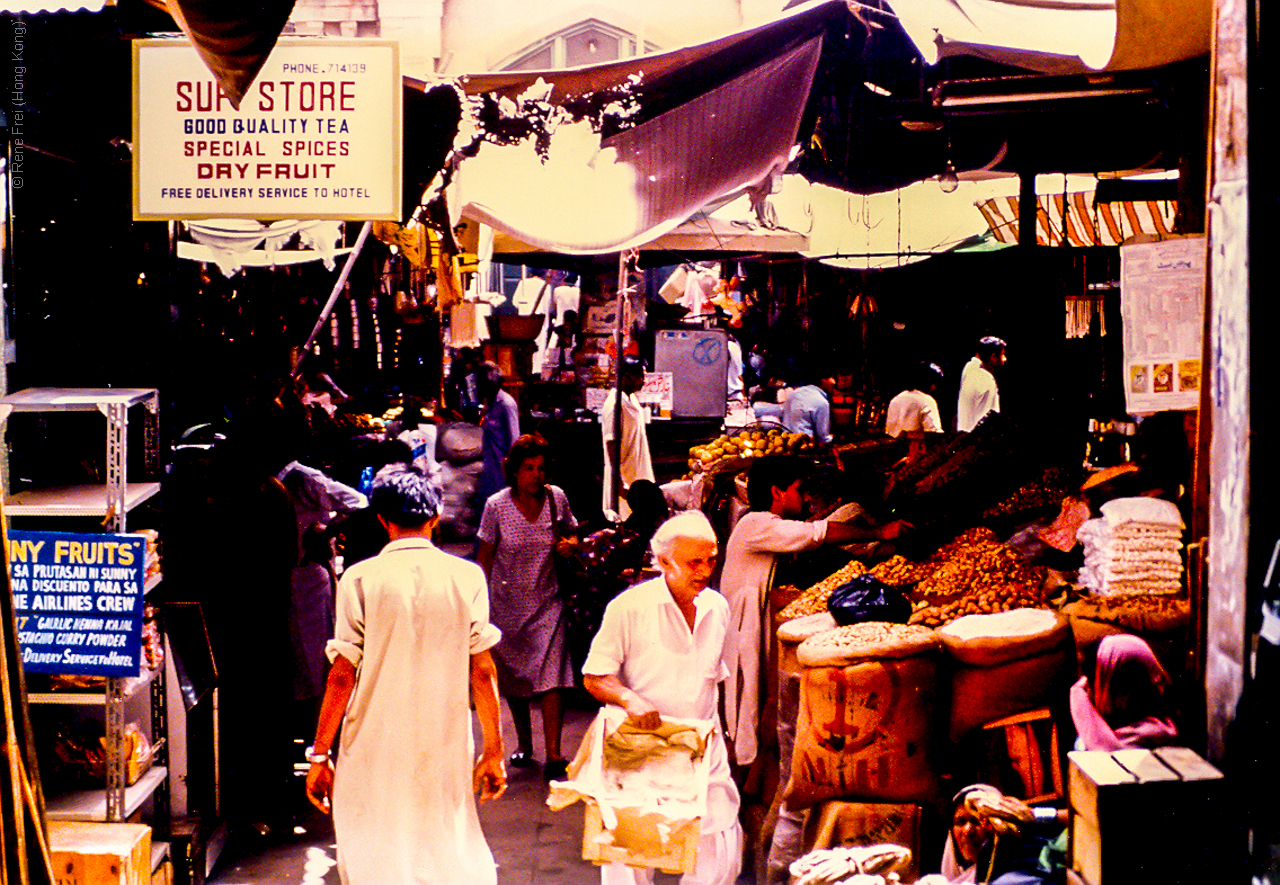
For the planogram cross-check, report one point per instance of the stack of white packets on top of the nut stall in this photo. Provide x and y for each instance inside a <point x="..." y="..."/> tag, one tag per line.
<point x="1135" y="548"/>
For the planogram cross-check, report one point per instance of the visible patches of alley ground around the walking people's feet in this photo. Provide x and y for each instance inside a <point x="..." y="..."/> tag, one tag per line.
<point x="532" y="845"/>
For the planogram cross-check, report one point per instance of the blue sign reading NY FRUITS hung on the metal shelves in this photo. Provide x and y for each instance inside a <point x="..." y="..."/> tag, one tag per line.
<point x="79" y="601"/>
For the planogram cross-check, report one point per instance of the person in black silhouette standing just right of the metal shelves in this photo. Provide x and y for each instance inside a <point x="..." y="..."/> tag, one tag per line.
<point x="253" y="654"/>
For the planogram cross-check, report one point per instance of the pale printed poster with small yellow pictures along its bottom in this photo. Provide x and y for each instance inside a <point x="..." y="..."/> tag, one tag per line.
<point x="1163" y="305"/>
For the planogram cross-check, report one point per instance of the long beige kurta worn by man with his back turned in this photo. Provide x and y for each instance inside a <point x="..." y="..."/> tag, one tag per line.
<point x="404" y="810"/>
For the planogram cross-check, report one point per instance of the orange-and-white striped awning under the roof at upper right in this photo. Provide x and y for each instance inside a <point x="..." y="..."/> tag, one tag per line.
<point x="1081" y="221"/>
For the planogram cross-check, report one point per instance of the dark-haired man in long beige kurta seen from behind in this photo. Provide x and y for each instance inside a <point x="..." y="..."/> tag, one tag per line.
<point x="413" y="635"/>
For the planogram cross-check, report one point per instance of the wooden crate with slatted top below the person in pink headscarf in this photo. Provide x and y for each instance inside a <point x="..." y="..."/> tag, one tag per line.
<point x="1142" y="815"/>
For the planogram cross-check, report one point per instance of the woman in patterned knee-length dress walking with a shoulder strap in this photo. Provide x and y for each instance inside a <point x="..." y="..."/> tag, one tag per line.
<point x="522" y="530"/>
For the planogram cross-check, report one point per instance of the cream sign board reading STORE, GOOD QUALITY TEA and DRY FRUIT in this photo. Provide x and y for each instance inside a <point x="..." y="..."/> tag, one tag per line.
<point x="318" y="135"/>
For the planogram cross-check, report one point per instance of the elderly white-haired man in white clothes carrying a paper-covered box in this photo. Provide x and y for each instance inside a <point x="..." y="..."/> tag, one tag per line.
<point x="659" y="654"/>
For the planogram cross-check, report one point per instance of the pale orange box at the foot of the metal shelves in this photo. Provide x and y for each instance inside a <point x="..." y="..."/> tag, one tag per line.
<point x="100" y="854"/>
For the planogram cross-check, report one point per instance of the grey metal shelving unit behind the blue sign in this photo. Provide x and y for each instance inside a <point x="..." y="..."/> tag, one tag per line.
<point x="113" y="501"/>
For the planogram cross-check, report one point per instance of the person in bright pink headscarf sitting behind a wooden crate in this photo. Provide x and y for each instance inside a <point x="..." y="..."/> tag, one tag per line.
<point x="1122" y="701"/>
